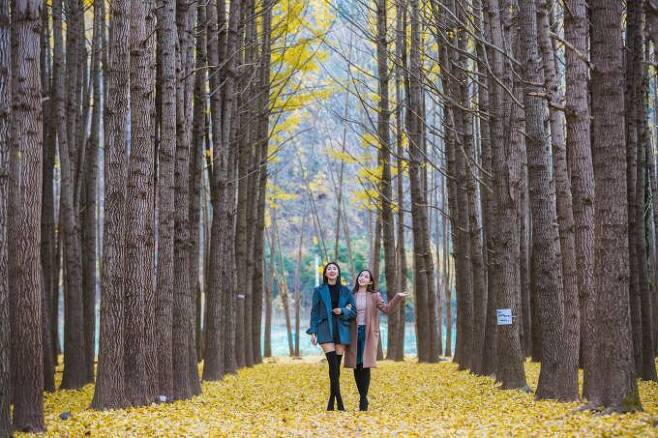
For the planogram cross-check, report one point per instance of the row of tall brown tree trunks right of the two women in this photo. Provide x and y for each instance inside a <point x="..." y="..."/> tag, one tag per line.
<point x="547" y="191"/>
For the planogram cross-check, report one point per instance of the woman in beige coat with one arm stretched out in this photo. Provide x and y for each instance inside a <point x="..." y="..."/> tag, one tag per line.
<point x="361" y="354"/>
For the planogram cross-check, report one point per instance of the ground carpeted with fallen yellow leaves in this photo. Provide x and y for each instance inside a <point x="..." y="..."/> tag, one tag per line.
<point x="288" y="398"/>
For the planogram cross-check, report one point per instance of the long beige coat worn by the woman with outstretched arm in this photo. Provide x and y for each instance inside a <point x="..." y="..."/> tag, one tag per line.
<point x="374" y="304"/>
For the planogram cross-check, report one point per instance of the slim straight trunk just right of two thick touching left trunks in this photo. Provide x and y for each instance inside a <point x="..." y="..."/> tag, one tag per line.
<point x="167" y="38"/>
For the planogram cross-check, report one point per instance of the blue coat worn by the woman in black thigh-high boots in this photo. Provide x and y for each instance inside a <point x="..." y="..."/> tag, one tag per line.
<point x="321" y="315"/>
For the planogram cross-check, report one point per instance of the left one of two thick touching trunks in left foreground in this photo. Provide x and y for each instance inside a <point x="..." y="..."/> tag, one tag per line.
<point x="110" y="384"/>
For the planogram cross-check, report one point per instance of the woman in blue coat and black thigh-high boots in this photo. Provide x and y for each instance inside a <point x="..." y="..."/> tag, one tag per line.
<point x="333" y="309"/>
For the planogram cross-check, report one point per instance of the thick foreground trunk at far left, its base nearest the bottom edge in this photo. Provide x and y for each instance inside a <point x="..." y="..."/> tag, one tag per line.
<point x="26" y="162"/>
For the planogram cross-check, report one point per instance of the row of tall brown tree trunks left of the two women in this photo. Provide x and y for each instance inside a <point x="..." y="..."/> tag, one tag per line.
<point x="176" y="96"/>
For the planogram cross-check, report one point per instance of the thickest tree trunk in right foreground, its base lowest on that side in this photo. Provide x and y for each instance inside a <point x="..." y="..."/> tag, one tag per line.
<point x="613" y="384"/>
